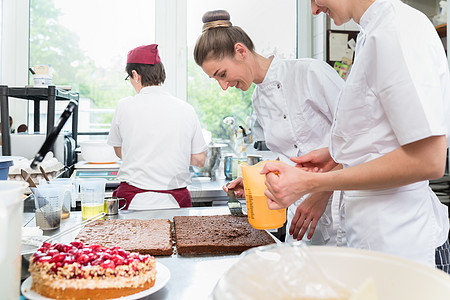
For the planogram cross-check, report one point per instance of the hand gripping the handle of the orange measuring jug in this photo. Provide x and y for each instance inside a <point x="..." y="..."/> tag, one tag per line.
<point x="285" y="184"/>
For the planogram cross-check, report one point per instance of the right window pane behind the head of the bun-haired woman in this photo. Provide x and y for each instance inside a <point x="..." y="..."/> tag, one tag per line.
<point x="272" y="28"/>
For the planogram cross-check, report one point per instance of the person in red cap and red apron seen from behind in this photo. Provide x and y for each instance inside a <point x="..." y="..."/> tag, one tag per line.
<point x="157" y="136"/>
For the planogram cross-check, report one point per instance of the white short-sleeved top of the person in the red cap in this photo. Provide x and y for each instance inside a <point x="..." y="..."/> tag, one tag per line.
<point x="158" y="133"/>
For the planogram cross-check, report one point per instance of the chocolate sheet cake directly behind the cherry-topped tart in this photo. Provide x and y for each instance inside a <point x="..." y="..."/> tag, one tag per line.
<point x="152" y="237"/>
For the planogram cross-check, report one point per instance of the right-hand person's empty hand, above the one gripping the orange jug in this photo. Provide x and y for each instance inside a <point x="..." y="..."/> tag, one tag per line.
<point x="315" y="161"/>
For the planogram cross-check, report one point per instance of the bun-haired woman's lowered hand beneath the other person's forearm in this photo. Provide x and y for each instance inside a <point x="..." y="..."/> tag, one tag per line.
<point x="309" y="212"/>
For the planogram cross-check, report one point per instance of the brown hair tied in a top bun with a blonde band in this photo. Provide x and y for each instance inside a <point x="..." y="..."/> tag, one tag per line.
<point x="219" y="37"/>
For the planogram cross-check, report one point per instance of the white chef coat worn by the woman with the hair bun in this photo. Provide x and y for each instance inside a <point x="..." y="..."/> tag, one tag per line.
<point x="295" y="104"/>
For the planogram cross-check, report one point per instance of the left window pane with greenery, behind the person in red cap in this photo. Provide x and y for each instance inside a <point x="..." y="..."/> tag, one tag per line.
<point x="87" y="50"/>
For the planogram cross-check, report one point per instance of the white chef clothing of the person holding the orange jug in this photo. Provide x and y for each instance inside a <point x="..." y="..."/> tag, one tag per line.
<point x="397" y="93"/>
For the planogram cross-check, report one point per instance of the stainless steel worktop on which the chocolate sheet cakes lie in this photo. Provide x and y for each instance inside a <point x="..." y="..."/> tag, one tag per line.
<point x="191" y="277"/>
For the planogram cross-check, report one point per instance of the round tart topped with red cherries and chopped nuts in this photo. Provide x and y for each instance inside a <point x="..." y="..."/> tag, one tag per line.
<point x="76" y="271"/>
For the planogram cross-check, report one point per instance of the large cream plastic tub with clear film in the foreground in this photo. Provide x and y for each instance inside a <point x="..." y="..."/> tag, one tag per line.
<point x="394" y="277"/>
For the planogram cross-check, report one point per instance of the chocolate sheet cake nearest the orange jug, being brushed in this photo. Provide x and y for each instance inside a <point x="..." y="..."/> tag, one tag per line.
<point x="216" y="235"/>
